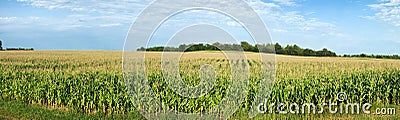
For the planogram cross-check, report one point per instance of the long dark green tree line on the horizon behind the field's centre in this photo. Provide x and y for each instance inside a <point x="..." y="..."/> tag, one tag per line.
<point x="265" y="48"/>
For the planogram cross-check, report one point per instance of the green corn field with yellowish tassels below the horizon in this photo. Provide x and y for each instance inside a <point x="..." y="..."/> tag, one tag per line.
<point x="92" y="81"/>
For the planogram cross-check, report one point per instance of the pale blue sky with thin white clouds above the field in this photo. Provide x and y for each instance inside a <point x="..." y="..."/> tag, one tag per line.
<point x="343" y="26"/>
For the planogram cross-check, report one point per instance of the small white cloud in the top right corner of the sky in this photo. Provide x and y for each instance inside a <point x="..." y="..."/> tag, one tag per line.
<point x="388" y="11"/>
